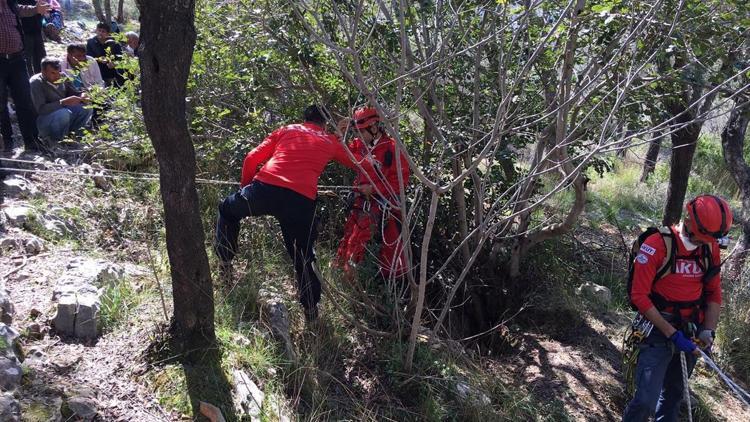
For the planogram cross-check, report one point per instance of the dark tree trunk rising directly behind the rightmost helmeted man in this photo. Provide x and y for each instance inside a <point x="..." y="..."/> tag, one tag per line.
<point x="684" y="142"/>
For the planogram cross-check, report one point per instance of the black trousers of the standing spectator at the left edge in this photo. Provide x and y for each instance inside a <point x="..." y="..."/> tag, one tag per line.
<point x="13" y="77"/>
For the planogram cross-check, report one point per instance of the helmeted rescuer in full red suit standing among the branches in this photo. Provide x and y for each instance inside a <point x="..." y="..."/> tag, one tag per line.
<point x="376" y="204"/>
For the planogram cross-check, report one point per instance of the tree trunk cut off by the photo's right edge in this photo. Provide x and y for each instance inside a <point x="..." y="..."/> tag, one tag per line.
<point x="733" y="146"/>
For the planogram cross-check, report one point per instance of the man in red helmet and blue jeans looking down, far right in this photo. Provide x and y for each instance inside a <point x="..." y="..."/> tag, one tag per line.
<point x="676" y="285"/>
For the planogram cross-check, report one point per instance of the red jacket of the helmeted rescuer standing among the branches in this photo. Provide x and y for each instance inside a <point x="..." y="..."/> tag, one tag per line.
<point x="384" y="175"/>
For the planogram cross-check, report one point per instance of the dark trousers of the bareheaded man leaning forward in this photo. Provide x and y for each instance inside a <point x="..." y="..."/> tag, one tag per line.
<point x="296" y="216"/>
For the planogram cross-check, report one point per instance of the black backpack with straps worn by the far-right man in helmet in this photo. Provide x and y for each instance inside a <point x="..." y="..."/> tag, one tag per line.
<point x="669" y="266"/>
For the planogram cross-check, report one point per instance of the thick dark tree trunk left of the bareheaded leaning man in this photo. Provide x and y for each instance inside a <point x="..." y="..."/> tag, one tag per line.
<point x="167" y="41"/>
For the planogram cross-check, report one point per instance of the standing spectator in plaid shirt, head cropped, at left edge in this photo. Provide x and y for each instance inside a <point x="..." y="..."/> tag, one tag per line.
<point x="13" y="73"/>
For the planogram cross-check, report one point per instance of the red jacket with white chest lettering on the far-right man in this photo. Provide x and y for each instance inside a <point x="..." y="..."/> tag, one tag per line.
<point x="684" y="285"/>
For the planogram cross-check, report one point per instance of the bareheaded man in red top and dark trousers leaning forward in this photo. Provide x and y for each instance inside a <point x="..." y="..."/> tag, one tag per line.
<point x="291" y="160"/>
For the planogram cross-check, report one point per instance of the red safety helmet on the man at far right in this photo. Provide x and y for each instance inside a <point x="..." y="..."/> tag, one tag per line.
<point x="708" y="218"/>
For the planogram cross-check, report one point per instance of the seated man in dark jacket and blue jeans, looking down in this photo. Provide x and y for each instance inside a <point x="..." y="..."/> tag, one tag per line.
<point x="59" y="106"/>
